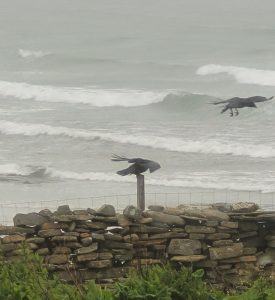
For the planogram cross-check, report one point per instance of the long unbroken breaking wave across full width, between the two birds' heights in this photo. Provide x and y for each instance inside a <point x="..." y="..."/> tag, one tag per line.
<point x="207" y="146"/>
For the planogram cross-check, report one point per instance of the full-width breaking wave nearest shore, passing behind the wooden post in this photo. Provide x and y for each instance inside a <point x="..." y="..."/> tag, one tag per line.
<point x="247" y="181"/>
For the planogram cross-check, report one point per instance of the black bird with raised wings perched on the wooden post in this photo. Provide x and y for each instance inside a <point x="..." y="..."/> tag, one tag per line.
<point x="139" y="165"/>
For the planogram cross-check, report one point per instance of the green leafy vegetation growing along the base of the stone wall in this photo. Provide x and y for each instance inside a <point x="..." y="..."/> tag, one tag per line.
<point x="27" y="278"/>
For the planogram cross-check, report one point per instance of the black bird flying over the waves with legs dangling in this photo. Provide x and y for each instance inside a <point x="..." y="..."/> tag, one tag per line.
<point x="236" y="102"/>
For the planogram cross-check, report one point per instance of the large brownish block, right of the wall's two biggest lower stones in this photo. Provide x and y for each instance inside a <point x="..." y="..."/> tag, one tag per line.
<point x="226" y="252"/>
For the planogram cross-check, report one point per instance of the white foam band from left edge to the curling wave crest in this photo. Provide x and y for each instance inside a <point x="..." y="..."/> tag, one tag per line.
<point x="92" y="96"/>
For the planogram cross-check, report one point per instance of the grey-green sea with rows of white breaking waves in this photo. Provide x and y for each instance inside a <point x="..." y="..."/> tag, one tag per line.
<point x="83" y="80"/>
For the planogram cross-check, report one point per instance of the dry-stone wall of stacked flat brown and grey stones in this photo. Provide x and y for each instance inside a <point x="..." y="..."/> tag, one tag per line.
<point x="233" y="243"/>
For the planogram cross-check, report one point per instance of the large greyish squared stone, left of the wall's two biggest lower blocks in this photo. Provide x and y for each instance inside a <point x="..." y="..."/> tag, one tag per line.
<point x="184" y="247"/>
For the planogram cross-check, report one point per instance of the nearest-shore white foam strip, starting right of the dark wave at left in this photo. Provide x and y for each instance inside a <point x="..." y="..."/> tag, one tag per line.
<point x="210" y="180"/>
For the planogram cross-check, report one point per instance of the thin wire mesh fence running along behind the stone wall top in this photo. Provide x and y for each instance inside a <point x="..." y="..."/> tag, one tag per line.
<point x="265" y="200"/>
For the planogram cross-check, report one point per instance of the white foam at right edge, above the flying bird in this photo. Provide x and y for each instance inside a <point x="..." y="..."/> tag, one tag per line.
<point x="241" y="74"/>
